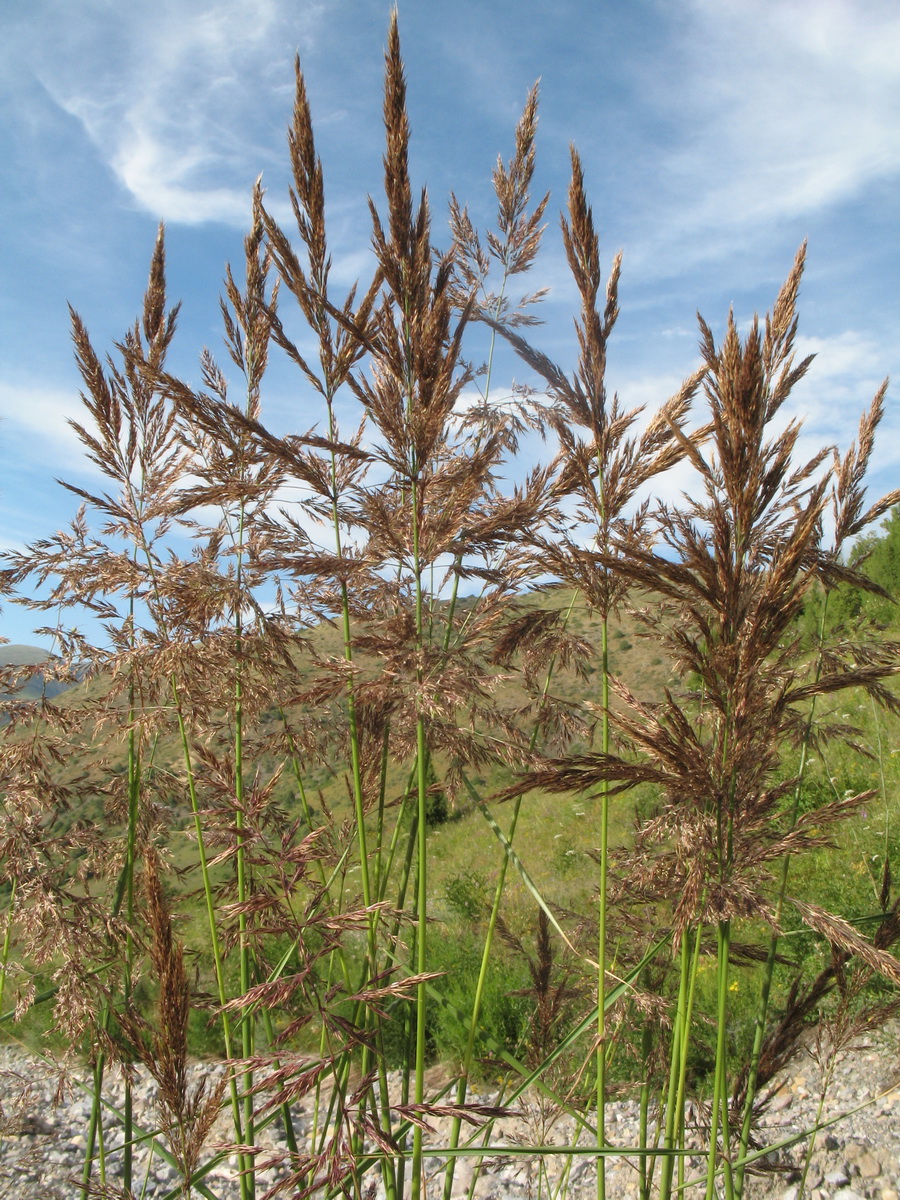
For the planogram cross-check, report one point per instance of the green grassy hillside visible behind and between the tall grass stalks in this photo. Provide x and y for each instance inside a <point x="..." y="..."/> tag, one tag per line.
<point x="557" y="838"/>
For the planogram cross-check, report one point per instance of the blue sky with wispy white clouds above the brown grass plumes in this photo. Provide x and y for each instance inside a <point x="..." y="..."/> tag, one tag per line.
<point x="716" y="136"/>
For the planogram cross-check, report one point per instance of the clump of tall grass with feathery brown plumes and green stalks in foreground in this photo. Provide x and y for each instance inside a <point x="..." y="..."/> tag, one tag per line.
<point x="220" y="560"/>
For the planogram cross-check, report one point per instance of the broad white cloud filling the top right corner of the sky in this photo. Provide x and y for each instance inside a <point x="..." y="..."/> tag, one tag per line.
<point x="772" y="111"/>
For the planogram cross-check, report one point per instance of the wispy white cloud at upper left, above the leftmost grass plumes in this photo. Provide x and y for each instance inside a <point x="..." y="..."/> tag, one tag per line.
<point x="175" y="97"/>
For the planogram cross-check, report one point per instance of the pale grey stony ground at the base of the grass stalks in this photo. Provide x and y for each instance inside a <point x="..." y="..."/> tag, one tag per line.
<point x="43" y="1139"/>
